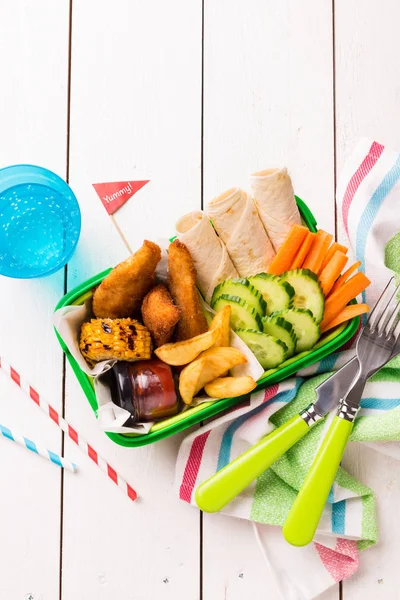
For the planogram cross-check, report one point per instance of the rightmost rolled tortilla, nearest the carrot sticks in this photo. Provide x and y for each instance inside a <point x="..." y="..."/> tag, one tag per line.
<point x="274" y="197"/>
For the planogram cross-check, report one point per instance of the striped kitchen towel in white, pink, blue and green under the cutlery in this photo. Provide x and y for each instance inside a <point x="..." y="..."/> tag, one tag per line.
<point x="368" y="199"/>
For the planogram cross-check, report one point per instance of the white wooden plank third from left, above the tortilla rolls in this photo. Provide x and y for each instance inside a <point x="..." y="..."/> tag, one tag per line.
<point x="268" y="101"/>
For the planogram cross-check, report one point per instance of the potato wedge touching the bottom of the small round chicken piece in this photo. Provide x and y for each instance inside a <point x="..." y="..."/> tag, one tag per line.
<point x="182" y="353"/>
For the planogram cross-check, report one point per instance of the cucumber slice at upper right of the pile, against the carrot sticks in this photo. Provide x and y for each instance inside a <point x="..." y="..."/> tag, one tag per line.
<point x="308" y="292"/>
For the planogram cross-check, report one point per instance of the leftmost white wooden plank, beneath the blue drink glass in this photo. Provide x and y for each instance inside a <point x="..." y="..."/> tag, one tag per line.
<point x="33" y="117"/>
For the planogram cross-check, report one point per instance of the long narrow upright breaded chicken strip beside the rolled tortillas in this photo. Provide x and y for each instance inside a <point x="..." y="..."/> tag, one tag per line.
<point x="182" y="285"/>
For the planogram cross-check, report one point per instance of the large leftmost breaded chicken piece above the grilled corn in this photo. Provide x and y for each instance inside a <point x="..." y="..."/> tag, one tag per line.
<point x="121" y="293"/>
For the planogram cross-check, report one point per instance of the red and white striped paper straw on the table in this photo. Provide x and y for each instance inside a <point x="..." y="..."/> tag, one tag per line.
<point x="69" y="430"/>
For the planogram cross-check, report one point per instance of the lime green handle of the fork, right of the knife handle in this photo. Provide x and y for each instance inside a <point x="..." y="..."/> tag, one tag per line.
<point x="302" y="521"/>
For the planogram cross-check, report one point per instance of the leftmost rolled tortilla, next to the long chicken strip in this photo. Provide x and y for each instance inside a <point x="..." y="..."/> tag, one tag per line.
<point x="209" y="253"/>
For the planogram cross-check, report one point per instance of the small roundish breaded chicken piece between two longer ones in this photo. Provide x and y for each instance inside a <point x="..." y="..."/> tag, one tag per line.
<point x="160" y="315"/>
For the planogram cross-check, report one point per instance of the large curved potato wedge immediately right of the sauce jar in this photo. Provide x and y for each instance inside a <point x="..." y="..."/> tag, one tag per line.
<point x="208" y="366"/>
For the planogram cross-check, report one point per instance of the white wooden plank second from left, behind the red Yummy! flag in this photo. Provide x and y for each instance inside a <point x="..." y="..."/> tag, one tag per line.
<point x="136" y="114"/>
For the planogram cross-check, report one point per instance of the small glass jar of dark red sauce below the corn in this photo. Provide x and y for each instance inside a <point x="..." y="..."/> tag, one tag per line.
<point x="146" y="389"/>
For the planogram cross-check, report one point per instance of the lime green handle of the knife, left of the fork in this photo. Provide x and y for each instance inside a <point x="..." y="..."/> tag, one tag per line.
<point x="226" y="484"/>
